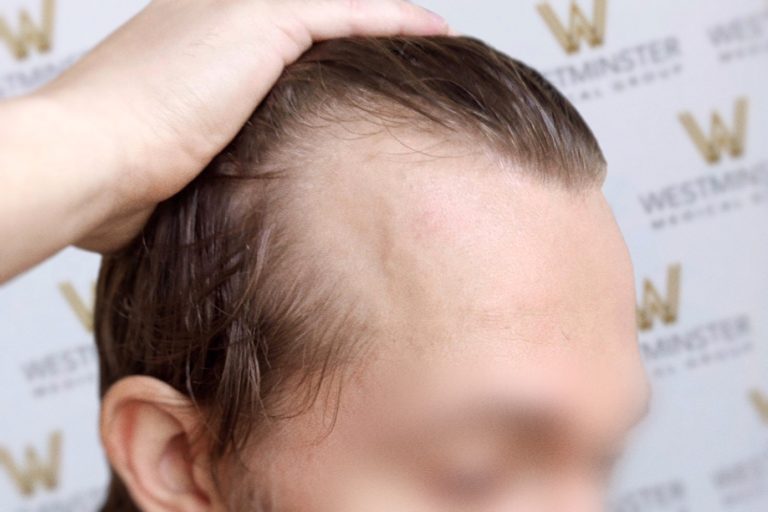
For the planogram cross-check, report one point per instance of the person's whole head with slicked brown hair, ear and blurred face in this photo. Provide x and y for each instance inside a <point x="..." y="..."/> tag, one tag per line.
<point x="399" y="288"/>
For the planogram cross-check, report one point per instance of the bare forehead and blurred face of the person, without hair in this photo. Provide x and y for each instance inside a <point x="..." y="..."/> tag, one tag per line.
<point x="505" y="374"/>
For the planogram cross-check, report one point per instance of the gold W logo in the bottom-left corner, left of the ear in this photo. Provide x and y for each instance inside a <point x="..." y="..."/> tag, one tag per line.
<point x="35" y="471"/>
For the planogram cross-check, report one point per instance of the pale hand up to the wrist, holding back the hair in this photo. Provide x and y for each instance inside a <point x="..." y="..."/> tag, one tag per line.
<point x="168" y="90"/>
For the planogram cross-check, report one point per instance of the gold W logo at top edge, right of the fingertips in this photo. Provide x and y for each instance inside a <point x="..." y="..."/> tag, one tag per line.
<point x="580" y="27"/>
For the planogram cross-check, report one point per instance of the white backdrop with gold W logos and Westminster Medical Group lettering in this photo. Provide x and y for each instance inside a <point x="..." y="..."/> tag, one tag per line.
<point x="677" y="94"/>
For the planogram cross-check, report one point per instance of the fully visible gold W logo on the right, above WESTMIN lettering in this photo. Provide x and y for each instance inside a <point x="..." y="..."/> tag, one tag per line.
<point x="720" y="137"/>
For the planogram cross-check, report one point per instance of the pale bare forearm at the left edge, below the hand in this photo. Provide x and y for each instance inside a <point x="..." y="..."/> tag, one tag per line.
<point x="54" y="185"/>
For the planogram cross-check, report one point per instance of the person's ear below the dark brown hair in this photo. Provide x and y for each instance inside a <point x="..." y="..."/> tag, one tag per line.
<point x="148" y="430"/>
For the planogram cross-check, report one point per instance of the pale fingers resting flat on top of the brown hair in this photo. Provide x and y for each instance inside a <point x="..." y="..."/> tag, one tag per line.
<point x="327" y="19"/>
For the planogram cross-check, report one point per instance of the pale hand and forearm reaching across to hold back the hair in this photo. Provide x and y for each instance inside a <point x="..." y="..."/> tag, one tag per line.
<point x="84" y="160"/>
